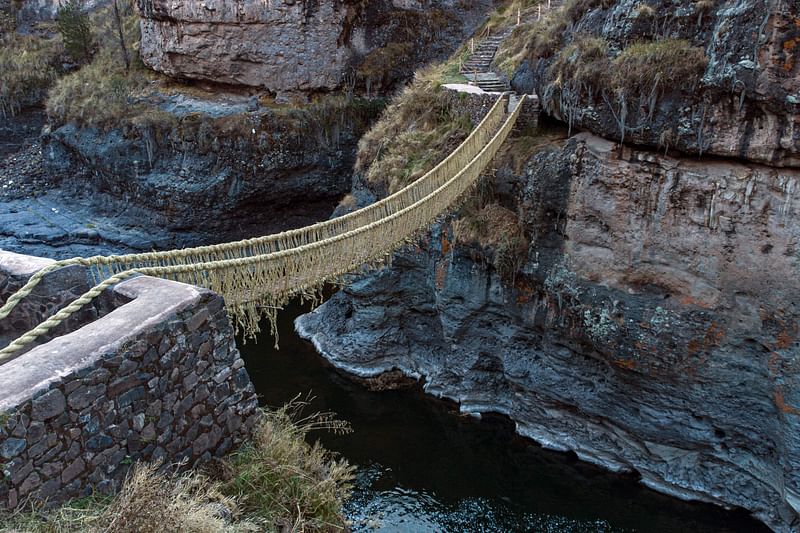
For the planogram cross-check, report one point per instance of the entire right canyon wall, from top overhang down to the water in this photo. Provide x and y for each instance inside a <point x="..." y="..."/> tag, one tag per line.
<point x="637" y="304"/>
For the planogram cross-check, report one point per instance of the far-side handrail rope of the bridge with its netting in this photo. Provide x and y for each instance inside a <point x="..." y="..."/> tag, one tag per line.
<point x="288" y="239"/>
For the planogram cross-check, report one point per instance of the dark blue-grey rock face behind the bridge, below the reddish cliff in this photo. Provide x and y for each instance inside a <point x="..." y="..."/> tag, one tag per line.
<point x="218" y="169"/>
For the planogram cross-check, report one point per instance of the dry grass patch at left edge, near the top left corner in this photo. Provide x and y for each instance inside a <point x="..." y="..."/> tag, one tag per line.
<point x="28" y="66"/>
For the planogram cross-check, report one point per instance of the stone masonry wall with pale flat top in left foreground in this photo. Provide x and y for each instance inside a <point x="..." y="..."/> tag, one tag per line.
<point x="158" y="378"/>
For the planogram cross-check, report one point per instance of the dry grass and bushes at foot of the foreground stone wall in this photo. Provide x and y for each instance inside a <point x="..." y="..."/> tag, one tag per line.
<point x="276" y="482"/>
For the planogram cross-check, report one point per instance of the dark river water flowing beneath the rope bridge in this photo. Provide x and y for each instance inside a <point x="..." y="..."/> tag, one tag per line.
<point x="423" y="467"/>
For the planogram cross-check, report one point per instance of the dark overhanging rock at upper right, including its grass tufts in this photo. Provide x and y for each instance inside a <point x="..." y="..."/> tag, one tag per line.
<point x="738" y="97"/>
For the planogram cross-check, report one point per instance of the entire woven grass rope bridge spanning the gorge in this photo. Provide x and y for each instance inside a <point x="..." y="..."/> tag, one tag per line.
<point x="258" y="276"/>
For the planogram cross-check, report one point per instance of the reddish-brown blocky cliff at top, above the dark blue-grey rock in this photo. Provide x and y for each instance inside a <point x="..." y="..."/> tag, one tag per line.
<point x="288" y="46"/>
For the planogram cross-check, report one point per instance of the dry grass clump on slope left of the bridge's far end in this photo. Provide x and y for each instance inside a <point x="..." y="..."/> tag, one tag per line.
<point x="419" y="128"/>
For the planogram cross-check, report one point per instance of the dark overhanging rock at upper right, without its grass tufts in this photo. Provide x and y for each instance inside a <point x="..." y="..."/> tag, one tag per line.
<point x="746" y="104"/>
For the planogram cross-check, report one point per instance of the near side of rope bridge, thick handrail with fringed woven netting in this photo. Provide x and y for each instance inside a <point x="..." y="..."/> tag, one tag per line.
<point x="284" y="274"/>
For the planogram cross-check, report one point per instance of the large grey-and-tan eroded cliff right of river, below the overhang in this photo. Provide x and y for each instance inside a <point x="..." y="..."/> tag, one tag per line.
<point x="653" y="327"/>
